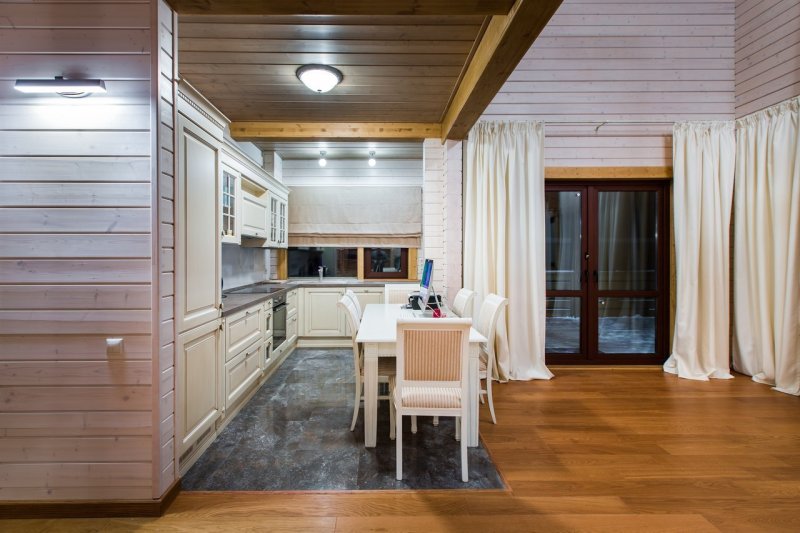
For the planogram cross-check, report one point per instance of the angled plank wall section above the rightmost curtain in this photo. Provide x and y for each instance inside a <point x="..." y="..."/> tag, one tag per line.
<point x="767" y="53"/>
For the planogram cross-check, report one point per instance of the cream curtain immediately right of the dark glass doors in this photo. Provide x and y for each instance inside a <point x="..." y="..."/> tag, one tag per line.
<point x="703" y="161"/>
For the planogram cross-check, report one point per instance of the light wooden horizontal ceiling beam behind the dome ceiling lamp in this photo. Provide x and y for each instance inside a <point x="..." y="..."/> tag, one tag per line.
<point x="259" y="131"/>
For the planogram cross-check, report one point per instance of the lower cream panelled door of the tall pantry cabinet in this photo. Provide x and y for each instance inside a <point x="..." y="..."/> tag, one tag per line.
<point x="198" y="383"/>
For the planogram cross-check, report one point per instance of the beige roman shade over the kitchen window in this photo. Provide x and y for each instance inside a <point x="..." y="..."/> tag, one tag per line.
<point x="355" y="216"/>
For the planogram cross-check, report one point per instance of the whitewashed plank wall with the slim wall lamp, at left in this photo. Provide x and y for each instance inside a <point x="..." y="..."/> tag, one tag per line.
<point x="75" y="254"/>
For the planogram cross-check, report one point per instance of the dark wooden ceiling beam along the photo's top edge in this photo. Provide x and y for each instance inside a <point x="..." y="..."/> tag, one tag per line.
<point x="340" y="7"/>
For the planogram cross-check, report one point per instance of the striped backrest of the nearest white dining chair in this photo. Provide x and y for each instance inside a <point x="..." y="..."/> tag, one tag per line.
<point x="433" y="351"/>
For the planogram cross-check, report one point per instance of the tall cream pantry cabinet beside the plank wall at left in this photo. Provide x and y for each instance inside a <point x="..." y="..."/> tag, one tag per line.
<point x="198" y="310"/>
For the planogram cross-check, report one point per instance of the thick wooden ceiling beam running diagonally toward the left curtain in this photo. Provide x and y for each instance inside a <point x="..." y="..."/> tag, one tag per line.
<point x="505" y="42"/>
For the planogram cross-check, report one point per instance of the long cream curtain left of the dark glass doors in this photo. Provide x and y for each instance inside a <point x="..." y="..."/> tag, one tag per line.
<point x="504" y="245"/>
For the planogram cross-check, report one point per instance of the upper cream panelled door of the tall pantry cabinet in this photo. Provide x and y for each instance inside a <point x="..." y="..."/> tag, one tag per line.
<point x="197" y="228"/>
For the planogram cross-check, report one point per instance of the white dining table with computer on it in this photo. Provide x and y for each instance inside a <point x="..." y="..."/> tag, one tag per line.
<point x="378" y="334"/>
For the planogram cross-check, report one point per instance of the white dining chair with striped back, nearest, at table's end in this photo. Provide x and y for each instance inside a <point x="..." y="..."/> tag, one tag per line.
<point x="432" y="377"/>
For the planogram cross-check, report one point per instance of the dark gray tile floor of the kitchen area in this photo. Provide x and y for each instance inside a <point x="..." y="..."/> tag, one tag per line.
<point x="295" y="435"/>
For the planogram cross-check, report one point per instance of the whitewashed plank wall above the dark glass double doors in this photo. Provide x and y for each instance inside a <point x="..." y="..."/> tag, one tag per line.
<point x="609" y="77"/>
